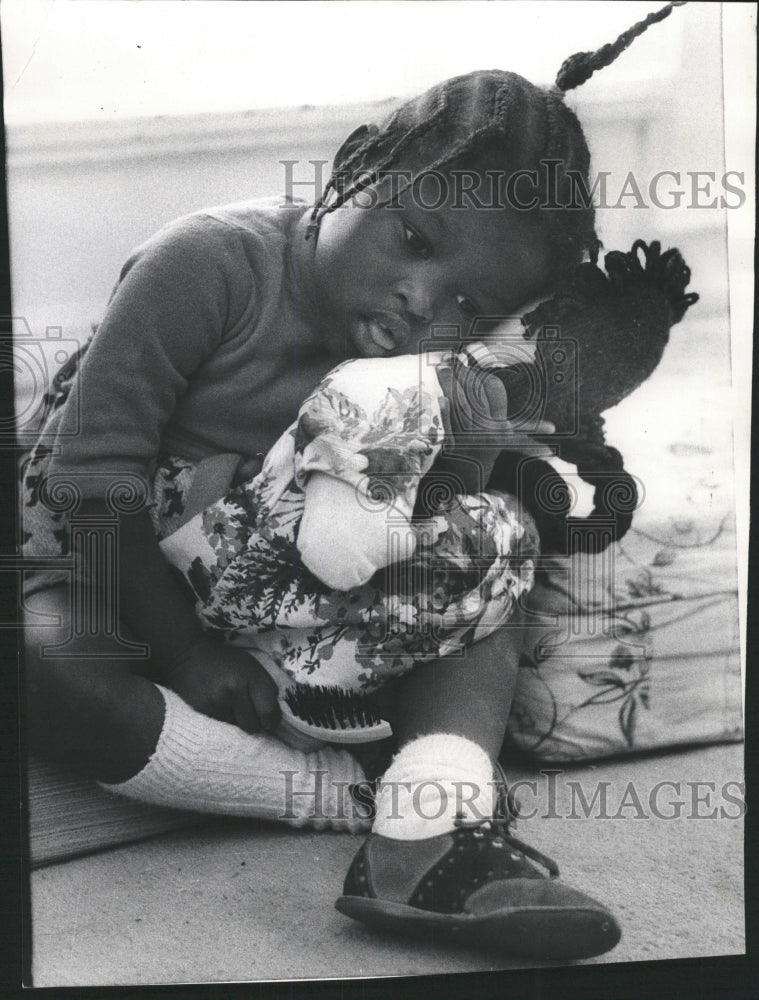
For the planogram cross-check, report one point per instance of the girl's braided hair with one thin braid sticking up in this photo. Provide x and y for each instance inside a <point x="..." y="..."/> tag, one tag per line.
<point x="493" y="120"/>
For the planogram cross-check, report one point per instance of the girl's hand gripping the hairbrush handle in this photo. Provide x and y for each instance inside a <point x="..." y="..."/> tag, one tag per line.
<point x="226" y="683"/>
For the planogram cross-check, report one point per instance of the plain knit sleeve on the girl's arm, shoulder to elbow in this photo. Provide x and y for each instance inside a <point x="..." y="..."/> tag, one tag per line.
<point x="176" y="296"/>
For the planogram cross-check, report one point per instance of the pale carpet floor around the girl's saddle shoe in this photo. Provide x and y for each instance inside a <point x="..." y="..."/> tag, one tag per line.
<point x="242" y="901"/>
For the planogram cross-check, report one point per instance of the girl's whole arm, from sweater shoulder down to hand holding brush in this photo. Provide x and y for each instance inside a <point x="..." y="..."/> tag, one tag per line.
<point x="166" y="317"/>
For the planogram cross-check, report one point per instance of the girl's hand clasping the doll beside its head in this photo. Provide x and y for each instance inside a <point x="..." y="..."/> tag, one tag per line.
<point x="476" y="407"/>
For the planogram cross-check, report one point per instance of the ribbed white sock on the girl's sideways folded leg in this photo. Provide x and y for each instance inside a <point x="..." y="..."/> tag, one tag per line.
<point x="204" y="765"/>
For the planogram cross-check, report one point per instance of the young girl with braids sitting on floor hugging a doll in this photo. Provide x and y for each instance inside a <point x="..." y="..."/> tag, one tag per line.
<point x="218" y="329"/>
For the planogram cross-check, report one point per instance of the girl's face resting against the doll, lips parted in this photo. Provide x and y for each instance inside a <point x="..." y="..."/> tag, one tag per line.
<point x="383" y="278"/>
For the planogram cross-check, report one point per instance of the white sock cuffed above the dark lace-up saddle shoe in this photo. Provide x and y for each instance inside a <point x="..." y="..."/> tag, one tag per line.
<point x="431" y="780"/>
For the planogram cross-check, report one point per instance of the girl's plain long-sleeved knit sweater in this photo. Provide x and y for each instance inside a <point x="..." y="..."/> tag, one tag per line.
<point x="202" y="348"/>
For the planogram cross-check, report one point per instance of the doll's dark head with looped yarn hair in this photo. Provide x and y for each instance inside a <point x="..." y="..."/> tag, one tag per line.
<point x="599" y="338"/>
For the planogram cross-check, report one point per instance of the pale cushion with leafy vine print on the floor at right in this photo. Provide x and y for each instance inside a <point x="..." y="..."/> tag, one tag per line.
<point x="635" y="649"/>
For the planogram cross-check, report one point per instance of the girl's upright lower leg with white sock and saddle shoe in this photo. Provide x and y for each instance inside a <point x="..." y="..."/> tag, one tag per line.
<point x="426" y="870"/>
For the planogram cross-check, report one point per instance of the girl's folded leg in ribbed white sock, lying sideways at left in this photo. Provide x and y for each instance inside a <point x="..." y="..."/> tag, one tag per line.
<point x="102" y="719"/>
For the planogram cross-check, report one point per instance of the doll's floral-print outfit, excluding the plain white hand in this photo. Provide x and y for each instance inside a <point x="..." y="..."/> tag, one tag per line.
<point x="472" y="560"/>
